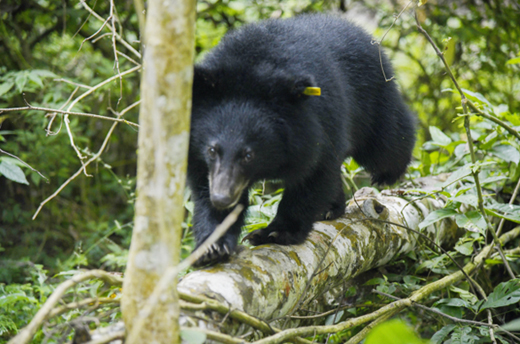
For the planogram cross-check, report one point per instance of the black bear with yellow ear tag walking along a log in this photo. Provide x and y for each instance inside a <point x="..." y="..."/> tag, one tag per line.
<point x="255" y="117"/>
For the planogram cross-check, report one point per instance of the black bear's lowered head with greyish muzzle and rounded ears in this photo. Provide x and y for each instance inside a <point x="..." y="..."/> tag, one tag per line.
<point x="239" y="127"/>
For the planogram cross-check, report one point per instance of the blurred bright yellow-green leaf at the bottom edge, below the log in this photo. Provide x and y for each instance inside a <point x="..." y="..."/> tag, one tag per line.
<point x="393" y="332"/>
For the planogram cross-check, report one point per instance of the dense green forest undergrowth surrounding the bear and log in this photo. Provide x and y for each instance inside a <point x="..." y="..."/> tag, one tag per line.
<point x="68" y="159"/>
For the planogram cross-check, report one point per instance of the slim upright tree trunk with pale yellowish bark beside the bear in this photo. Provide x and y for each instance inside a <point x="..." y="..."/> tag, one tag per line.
<point x="161" y="168"/>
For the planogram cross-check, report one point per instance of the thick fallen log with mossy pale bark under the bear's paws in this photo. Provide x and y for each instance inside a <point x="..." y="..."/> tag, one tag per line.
<point x="272" y="281"/>
